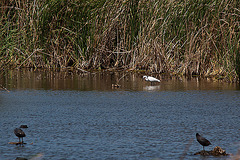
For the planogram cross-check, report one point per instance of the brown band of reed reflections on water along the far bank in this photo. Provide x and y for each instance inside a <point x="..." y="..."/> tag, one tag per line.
<point x="103" y="81"/>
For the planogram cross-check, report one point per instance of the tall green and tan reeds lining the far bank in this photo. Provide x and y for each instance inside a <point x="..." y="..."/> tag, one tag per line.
<point x="193" y="38"/>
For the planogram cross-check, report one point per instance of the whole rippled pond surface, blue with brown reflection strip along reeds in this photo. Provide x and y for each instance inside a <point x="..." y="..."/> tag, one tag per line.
<point x="75" y="118"/>
